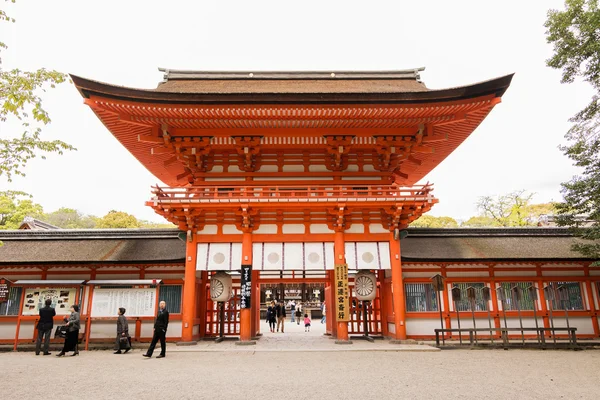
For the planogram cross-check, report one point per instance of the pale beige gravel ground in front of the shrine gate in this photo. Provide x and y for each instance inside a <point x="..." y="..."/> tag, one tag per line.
<point x="453" y="374"/>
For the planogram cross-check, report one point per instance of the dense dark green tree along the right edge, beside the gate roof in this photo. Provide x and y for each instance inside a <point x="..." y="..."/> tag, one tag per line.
<point x="575" y="34"/>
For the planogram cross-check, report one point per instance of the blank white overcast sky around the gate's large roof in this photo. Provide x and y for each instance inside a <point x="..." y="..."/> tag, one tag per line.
<point x="460" y="42"/>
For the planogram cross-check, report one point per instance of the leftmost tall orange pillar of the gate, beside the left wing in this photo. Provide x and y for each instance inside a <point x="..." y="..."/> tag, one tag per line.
<point x="189" y="289"/>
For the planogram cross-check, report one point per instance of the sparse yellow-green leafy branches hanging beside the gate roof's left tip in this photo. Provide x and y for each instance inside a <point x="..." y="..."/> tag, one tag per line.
<point x="21" y="101"/>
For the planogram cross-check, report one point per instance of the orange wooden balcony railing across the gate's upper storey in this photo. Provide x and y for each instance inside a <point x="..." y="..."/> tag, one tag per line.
<point x="290" y="193"/>
